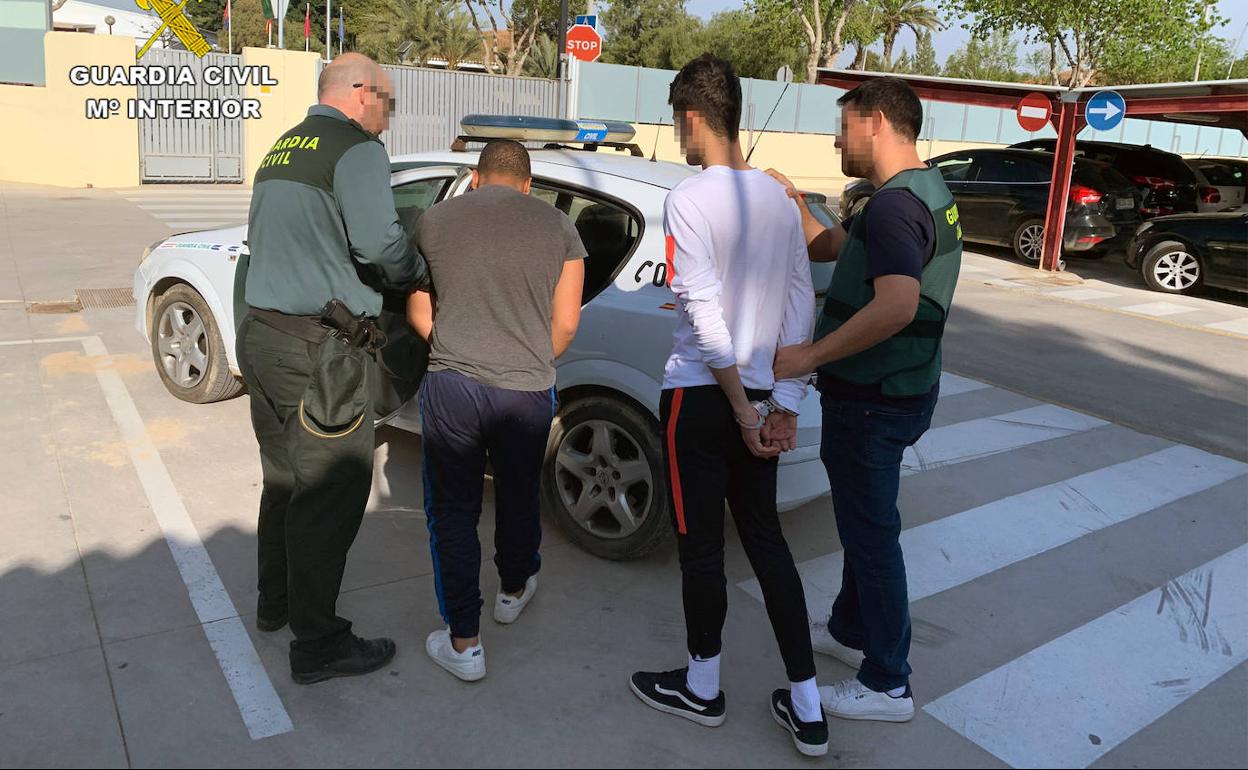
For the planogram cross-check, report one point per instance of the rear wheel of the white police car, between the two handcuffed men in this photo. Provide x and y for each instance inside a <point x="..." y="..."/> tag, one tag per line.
<point x="603" y="479"/>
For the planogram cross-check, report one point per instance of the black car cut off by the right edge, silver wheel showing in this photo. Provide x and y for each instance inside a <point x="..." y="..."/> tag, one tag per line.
<point x="1182" y="253"/>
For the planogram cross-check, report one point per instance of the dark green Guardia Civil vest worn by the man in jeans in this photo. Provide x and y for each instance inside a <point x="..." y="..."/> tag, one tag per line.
<point x="909" y="363"/>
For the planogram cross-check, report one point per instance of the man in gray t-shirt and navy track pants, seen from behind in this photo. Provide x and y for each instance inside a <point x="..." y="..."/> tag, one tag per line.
<point x="509" y="275"/>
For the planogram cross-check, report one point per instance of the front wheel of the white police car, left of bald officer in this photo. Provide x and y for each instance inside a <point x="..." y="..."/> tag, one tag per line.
<point x="188" y="349"/>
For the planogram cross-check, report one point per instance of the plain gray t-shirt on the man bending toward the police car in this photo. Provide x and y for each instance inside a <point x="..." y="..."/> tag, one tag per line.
<point x="496" y="256"/>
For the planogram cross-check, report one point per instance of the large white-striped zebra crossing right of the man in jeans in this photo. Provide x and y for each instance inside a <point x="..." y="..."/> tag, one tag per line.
<point x="1074" y="697"/>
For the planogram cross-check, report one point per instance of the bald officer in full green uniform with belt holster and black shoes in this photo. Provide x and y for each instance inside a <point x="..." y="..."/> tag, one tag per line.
<point x="323" y="229"/>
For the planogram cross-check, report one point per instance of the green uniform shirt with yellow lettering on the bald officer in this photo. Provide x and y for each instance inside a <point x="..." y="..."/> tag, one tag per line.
<point x="323" y="223"/>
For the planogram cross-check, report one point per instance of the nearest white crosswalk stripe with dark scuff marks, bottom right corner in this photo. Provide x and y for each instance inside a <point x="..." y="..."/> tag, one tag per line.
<point x="1070" y="702"/>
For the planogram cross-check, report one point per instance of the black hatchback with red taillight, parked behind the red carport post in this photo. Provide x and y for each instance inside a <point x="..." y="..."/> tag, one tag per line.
<point x="1003" y="197"/>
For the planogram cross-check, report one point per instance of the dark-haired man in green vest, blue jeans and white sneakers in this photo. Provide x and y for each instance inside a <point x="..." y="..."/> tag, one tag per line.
<point x="878" y="353"/>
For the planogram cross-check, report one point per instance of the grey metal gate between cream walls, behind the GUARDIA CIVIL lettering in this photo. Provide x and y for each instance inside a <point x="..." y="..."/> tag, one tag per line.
<point x="182" y="150"/>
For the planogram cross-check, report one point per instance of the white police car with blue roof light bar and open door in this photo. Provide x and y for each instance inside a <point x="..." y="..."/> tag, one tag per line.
<point x="605" y="479"/>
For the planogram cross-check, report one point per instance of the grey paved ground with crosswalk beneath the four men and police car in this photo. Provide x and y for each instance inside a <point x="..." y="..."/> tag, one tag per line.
<point x="1073" y="475"/>
